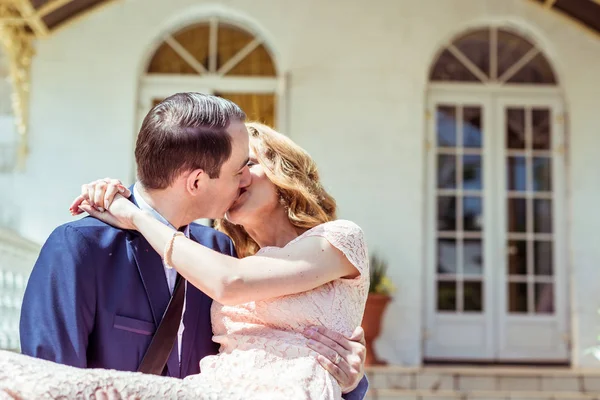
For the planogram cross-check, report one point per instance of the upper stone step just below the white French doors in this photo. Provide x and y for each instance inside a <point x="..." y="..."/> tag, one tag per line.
<point x="467" y="379"/>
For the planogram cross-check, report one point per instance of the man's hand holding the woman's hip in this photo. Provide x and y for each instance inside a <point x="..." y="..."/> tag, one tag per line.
<point x="343" y="357"/>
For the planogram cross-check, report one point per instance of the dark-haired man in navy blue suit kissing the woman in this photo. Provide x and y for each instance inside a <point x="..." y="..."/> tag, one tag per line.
<point x="97" y="294"/>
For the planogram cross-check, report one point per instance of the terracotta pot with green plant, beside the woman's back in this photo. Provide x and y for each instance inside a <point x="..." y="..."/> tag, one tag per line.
<point x="380" y="291"/>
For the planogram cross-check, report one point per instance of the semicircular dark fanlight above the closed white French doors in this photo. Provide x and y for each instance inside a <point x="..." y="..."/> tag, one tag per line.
<point x="492" y="55"/>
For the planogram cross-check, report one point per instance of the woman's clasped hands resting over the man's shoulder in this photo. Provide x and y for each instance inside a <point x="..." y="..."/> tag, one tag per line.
<point x="103" y="199"/>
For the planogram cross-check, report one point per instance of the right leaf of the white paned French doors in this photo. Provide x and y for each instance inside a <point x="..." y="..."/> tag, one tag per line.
<point x="533" y="283"/>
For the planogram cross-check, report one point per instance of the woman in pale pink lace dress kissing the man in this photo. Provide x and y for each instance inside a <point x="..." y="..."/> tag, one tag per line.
<point x="299" y="267"/>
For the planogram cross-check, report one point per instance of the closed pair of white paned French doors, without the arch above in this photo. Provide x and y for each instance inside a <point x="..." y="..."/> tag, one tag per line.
<point x="496" y="265"/>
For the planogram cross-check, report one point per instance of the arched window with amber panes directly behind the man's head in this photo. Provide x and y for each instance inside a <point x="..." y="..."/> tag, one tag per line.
<point x="215" y="57"/>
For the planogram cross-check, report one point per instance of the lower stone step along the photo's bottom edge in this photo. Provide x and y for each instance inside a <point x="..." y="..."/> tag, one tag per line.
<point x="395" y="394"/>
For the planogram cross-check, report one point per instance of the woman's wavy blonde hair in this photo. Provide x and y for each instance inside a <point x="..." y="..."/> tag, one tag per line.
<point x="294" y="173"/>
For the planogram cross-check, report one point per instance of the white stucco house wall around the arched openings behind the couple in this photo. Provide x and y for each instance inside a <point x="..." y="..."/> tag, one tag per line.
<point x="357" y="84"/>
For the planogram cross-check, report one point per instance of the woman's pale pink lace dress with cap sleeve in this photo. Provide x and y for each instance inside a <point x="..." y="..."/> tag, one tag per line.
<point x="263" y="352"/>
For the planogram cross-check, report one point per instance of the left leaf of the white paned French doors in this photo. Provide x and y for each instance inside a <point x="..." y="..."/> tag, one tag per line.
<point x="458" y="316"/>
